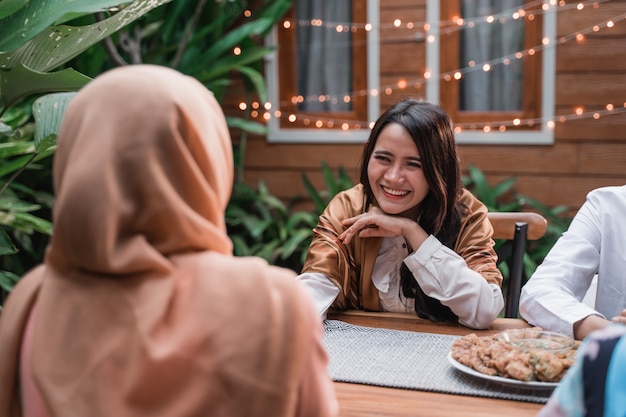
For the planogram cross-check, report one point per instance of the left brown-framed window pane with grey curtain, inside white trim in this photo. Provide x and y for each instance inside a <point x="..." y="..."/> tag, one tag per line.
<point x="322" y="60"/>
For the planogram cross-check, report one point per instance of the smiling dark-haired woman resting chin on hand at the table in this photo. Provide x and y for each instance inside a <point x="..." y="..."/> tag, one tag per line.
<point x="408" y="237"/>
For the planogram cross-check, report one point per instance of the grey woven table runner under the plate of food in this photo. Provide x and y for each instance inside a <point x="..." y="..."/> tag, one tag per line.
<point x="409" y="360"/>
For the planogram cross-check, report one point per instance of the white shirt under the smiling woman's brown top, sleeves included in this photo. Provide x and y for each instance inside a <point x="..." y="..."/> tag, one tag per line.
<point x="440" y="272"/>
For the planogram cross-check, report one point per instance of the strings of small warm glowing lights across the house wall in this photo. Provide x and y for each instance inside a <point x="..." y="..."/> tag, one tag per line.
<point x="450" y="26"/>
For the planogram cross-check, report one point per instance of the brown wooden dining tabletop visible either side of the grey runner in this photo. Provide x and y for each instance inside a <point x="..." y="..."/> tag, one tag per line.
<point x="359" y="400"/>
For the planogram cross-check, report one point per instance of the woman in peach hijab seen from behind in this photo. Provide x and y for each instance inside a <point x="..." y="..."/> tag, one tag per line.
<point x="139" y="307"/>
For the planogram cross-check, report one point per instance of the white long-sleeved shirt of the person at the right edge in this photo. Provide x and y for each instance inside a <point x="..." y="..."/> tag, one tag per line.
<point x="595" y="242"/>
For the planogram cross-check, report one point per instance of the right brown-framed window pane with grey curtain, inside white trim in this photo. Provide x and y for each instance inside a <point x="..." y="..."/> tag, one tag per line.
<point x="492" y="47"/>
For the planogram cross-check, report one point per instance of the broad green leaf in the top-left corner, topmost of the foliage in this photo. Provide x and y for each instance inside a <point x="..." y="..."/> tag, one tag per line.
<point x="36" y="15"/>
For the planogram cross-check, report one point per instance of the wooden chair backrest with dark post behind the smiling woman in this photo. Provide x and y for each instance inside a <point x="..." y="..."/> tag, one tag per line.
<point x="515" y="228"/>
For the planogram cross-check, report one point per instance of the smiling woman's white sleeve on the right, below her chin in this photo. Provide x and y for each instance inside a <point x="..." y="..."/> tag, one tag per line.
<point x="443" y="274"/>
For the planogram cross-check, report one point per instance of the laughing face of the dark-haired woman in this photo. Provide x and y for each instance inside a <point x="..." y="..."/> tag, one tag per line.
<point x="395" y="172"/>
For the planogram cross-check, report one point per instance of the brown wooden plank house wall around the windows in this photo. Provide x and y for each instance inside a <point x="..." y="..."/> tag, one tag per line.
<point x="587" y="153"/>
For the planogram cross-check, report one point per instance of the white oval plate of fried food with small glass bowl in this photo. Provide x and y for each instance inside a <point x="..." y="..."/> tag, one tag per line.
<point x="531" y="358"/>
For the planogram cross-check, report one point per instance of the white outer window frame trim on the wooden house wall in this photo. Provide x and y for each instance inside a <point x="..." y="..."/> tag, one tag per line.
<point x="542" y="136"/>
